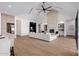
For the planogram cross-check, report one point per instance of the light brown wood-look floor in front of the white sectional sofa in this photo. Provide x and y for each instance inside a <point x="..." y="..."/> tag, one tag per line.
<point x="27" y="46"/>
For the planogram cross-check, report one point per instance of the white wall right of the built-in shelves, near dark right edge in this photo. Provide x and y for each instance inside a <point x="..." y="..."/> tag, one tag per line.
<point x="69" y="26"/>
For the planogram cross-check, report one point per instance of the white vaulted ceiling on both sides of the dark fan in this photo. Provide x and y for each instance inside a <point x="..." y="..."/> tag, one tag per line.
<point x="20" y="8"/>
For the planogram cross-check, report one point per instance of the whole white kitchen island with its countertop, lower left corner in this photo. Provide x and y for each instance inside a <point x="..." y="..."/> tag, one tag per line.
<point x="5" y="44"/>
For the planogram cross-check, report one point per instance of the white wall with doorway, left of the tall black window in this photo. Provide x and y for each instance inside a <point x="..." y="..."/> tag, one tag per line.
<point x="23" y="26"/>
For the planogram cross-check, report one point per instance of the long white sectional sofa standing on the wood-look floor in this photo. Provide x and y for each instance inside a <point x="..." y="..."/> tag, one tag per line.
<point x="43" y="36"/>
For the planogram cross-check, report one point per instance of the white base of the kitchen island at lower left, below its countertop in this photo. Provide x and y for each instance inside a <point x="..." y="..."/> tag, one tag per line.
<point x="4" y="47"/>
